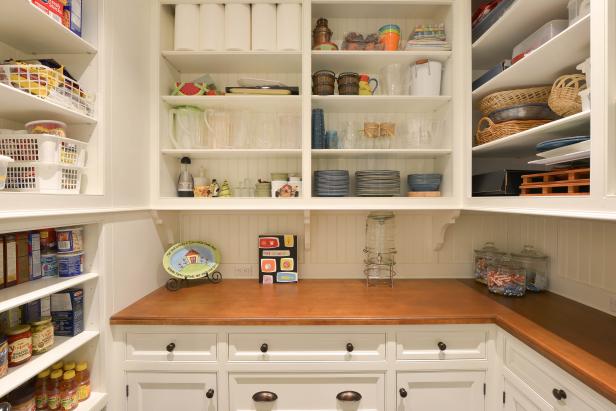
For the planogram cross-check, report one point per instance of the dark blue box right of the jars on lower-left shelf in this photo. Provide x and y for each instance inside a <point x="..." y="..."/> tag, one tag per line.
<point x="67" y="312"/>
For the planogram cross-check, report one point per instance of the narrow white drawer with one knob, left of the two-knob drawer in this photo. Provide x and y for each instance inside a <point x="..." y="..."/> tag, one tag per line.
<point x="170" y="346"/>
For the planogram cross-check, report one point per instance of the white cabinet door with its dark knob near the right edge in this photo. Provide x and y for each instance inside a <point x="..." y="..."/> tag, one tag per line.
<point x="161" y="391"/>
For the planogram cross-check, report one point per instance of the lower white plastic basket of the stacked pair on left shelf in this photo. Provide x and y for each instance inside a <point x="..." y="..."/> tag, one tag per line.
<point x="43" y="178"/>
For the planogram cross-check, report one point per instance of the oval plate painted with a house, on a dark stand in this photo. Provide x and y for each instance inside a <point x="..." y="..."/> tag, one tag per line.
<point x="191" y="260"/>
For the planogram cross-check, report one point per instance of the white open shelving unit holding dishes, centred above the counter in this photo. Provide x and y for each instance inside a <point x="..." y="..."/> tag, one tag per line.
<point x="295" y="68"/>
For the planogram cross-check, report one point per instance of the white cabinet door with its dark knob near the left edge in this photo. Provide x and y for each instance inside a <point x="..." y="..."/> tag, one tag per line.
<point x="441" y="391"/>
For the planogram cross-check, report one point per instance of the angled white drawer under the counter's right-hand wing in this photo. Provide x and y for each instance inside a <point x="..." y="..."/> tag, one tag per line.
<point x="544" y="377"/>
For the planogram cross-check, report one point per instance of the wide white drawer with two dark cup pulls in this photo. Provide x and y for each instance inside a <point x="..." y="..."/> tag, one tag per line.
<point x="294" y="391"/>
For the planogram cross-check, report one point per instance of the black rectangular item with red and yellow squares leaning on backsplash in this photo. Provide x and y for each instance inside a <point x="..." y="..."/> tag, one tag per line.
<point x="278" y="259"/>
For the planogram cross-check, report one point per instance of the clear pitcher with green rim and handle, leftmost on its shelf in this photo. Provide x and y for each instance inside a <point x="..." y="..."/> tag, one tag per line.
<point x="186" y="127"/>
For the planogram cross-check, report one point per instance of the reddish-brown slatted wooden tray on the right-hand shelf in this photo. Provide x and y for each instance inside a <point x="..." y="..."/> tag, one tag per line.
<point x="571" y="182"/>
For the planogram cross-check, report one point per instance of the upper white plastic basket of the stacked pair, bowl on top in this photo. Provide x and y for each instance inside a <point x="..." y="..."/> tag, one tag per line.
<point x="43" y="148"/>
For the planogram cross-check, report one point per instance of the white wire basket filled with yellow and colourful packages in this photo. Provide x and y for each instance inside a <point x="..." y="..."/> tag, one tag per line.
<point x="48" y="84"/>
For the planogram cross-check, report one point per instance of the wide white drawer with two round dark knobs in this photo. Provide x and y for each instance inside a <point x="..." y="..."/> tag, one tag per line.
<point x="307" y="347"/>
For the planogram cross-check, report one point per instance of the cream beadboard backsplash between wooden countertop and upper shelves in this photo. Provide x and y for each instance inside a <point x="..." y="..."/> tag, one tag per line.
<point x="580" y="250"/>
